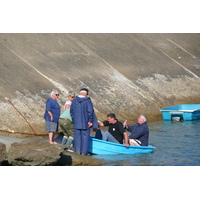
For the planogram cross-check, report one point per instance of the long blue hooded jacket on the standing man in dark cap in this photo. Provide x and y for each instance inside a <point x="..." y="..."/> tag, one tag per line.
<point x="82" y="112"/>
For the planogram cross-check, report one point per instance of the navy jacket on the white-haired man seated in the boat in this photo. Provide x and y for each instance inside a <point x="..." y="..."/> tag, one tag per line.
<point x="139" y="132"/>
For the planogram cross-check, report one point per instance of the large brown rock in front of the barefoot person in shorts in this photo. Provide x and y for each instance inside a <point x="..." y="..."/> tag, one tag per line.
<point x="34" y="152"/>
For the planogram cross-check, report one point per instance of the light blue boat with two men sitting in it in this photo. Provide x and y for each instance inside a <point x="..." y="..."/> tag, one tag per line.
<point x="102" y="147"/>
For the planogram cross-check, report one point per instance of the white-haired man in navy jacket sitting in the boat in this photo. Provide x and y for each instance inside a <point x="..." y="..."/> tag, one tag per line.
<point x="139" y="132"/>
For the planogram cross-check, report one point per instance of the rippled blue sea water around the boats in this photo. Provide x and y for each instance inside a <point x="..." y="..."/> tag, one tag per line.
<point x="177" y="144"/>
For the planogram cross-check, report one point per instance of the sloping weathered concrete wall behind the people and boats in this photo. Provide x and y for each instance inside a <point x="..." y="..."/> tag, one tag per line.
<point x="127" y="74"/>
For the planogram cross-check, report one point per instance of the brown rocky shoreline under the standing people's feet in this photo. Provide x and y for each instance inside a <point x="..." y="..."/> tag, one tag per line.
<point x="35" y="151"/>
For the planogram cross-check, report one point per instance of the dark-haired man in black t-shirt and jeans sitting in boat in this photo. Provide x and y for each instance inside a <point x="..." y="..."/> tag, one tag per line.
<point x="116" y="132"/>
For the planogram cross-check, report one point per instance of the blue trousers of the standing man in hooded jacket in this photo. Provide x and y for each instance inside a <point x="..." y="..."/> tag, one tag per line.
<point x="81" y="140"/>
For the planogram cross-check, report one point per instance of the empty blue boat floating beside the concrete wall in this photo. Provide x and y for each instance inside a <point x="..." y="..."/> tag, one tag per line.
<point x="183" y="112"/>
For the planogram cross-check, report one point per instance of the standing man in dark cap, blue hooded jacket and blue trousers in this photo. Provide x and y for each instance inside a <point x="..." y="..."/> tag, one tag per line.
<point x="82" y="113"/>
